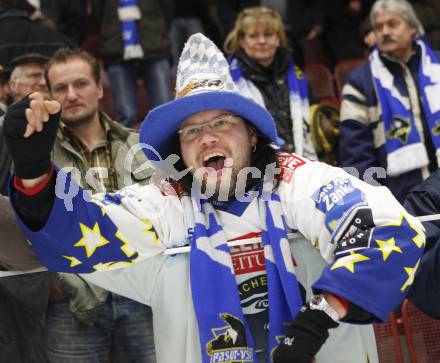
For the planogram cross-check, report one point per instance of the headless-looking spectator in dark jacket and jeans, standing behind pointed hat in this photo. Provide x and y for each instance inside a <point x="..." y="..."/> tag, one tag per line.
<point x="144" y="52"/>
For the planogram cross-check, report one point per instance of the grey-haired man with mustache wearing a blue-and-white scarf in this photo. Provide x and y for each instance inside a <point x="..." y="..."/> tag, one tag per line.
<point x="389" y="112"/>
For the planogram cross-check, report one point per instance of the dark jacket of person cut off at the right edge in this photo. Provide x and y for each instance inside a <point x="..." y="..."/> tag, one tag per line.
<point x="424" y="199"/>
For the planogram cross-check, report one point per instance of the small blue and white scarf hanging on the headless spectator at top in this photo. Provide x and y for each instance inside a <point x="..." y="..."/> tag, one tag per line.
<point x="129" y="13"/>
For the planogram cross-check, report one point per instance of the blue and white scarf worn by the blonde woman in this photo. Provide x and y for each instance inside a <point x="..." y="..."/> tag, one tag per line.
<point x="299" y="104"/>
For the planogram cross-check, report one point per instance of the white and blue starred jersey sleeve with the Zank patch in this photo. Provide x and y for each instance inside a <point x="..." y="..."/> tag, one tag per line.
<point x="373" y="246"/>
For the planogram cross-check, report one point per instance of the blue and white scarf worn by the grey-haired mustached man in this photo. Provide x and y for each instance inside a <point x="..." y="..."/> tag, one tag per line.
<point x="405" y="149"/>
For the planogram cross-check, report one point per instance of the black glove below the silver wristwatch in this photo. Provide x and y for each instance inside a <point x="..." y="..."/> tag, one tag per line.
<point x="305" y="336"/>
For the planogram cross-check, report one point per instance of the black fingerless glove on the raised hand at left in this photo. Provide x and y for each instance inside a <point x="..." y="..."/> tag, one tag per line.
<point x="31" y="156"/>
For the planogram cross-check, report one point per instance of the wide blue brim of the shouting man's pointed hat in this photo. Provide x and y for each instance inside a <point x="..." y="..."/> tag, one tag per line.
<point x="161" y="124"/>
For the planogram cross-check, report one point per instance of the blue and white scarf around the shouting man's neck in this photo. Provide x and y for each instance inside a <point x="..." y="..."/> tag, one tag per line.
<point x="224" y="333"/>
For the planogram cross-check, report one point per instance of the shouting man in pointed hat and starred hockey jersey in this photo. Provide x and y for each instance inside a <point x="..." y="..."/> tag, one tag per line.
<point x="237" y="185"/>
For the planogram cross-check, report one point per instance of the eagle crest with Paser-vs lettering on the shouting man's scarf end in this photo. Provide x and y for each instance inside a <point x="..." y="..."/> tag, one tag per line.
<point x="229" y="344"/>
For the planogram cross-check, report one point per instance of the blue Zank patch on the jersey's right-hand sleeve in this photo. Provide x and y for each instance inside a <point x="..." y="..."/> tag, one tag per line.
<point x="337" y="200"/>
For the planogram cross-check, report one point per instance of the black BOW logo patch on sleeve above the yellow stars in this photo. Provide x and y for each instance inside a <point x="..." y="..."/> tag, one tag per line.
<point x="358" y="233"/>
